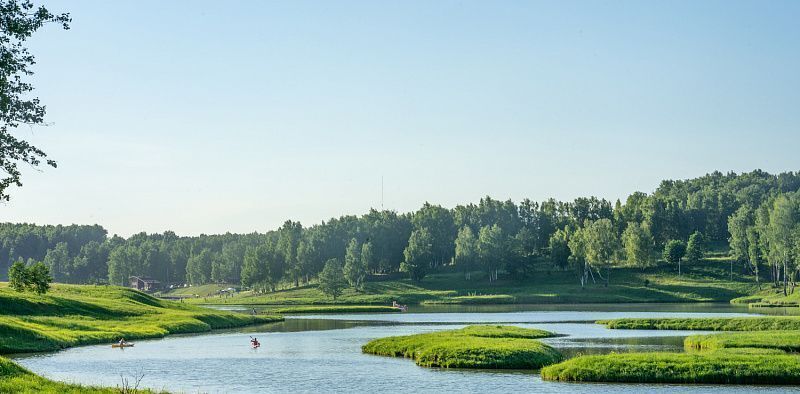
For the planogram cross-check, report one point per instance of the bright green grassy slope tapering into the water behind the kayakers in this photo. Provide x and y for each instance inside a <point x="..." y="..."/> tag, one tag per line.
<point x="72" y="315"/>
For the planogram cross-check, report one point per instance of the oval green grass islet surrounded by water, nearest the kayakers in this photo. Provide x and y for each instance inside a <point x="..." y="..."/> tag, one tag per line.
<point x="471" y="347"/>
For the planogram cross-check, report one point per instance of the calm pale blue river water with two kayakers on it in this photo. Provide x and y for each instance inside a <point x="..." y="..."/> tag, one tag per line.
<point x="322" y="353"/>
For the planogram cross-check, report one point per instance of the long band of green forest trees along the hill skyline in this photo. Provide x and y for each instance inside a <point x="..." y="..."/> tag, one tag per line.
<point x="756" y="211"/>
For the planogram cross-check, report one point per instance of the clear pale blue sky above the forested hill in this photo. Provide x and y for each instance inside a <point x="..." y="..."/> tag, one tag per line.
<point x="220" y="116"/>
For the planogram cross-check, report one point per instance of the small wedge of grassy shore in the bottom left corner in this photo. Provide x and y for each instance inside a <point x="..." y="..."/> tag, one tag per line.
<point x="16" y="379"/>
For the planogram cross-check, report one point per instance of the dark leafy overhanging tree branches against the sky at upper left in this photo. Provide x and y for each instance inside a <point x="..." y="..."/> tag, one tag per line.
<point x="20" y="19"/>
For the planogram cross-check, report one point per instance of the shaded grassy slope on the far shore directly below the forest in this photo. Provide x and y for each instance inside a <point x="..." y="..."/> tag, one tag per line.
<point x="708" y="282"/>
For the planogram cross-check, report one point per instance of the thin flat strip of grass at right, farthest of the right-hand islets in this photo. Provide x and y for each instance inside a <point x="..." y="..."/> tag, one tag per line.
<point x="766" y="323"/>
